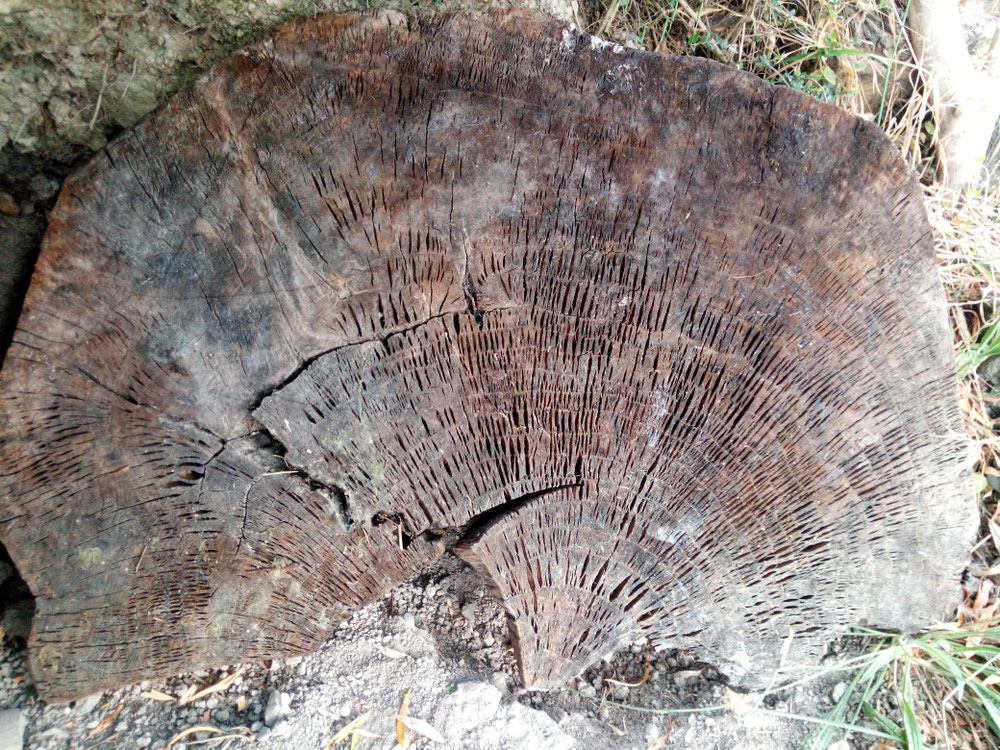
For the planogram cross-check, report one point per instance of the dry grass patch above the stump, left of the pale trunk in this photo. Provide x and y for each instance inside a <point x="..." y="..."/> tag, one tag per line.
<point x="853" y="54"/>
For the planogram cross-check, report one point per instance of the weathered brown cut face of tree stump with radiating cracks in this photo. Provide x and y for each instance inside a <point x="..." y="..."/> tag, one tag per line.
<point x="657" y="346"/>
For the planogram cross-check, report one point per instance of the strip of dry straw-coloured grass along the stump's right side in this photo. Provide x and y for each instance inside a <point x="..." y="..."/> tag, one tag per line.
<point x="967" y="235"/>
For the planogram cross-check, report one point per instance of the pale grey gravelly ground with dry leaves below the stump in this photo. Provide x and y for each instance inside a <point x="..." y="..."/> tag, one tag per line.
<point x="441" y="640"/>
